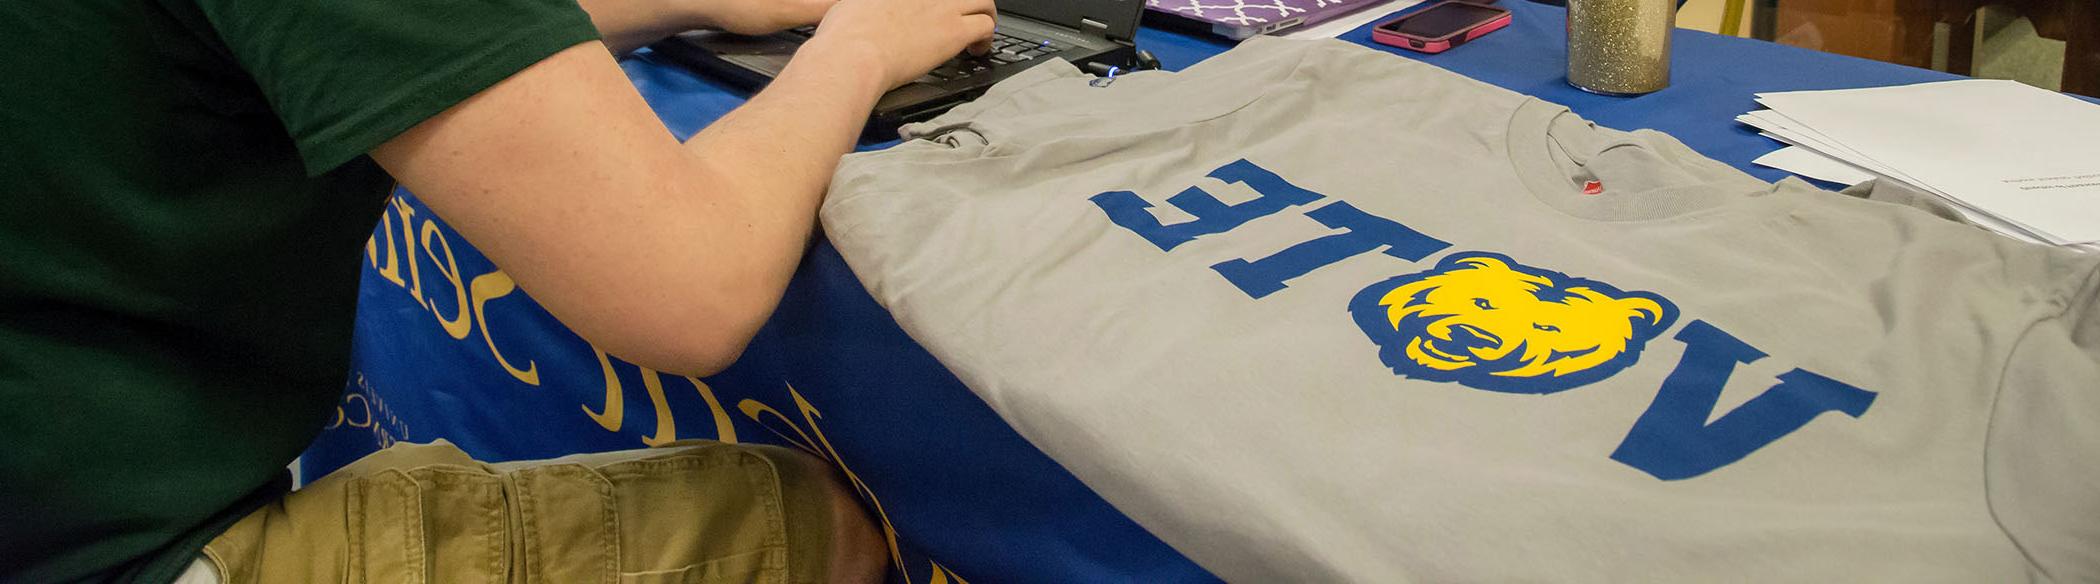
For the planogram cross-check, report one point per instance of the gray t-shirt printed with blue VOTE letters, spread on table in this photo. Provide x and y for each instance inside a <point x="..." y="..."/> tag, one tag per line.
<point x="1311" y="312"/>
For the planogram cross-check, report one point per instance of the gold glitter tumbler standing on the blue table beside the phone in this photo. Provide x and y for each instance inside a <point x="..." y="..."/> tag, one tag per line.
<point x="1620" y="47"/>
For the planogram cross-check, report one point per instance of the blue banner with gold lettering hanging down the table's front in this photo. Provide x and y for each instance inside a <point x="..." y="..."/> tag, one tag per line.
<point x="448" y="348"/>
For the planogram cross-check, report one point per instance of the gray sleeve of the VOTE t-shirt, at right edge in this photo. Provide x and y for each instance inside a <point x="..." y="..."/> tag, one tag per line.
<point x="2042" y="463"/>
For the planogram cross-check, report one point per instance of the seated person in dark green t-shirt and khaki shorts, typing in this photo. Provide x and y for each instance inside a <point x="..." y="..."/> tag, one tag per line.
<point x="188" y="188"/>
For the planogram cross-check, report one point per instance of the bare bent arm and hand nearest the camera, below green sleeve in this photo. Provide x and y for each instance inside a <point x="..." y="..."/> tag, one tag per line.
<point x="660" y="253"/>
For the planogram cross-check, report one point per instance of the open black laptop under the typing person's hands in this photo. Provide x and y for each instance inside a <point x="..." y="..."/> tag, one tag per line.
<point x="1085" y="33"/>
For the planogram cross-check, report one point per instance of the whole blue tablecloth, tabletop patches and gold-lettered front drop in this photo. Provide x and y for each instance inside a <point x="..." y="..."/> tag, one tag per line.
<point x="448" y="350"/>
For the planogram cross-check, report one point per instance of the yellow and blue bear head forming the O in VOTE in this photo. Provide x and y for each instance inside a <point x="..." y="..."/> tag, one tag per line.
<point x="1488" y="322"/>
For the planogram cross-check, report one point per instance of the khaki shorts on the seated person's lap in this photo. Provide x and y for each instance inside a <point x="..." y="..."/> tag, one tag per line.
<point x="429" y="514"/>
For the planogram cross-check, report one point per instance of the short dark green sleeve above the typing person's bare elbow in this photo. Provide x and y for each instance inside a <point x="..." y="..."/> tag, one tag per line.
<point x="350" y="75"/>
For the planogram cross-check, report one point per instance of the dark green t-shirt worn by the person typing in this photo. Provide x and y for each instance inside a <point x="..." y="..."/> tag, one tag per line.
<point x="184" y="205"/>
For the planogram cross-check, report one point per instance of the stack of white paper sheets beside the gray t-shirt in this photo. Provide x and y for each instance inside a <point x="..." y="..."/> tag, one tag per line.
<point x="2013" y="159"/>
